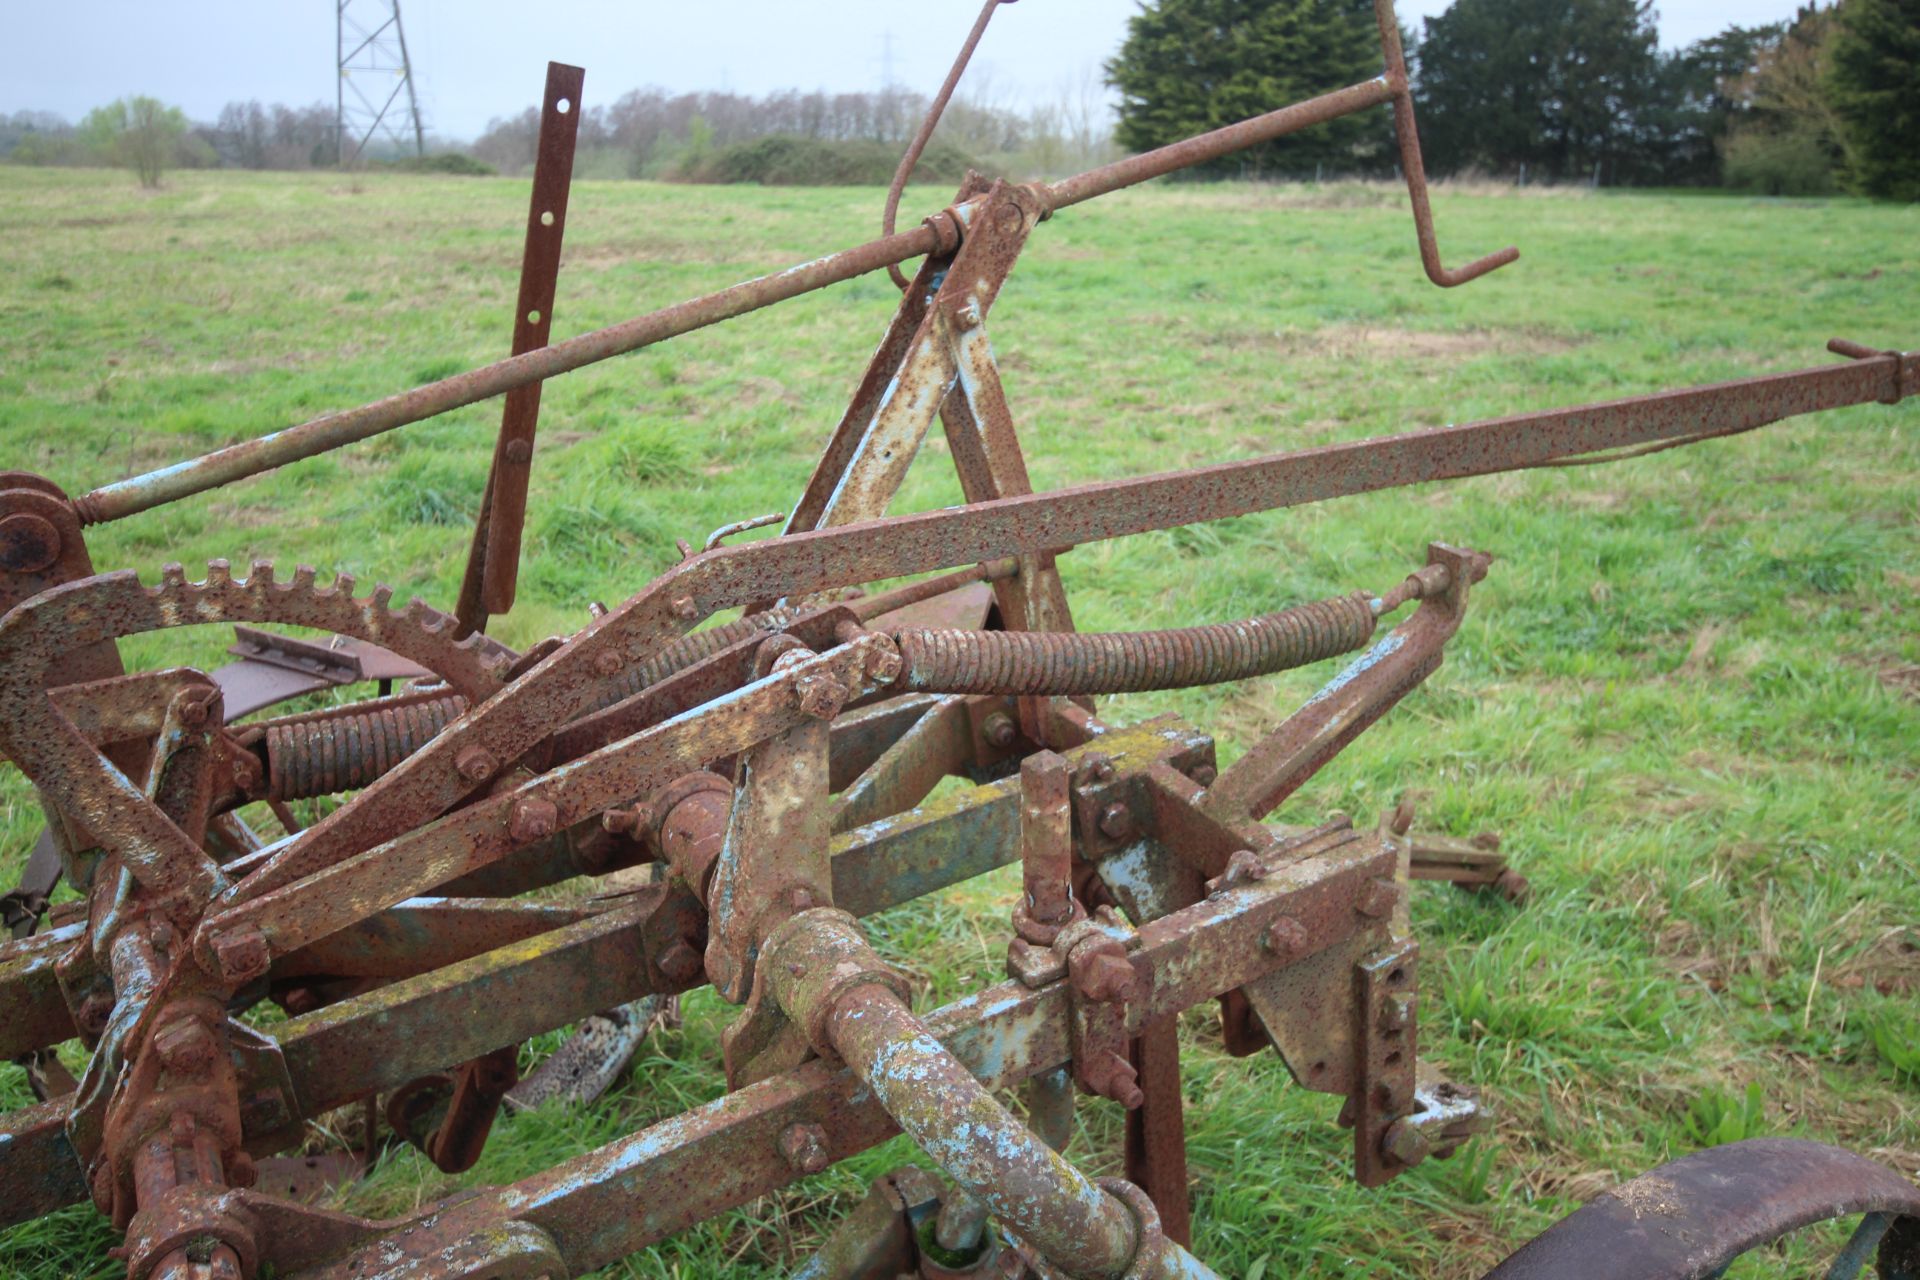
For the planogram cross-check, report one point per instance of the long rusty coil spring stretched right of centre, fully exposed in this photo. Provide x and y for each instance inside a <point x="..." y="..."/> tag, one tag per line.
<point x="1063" y="665"/>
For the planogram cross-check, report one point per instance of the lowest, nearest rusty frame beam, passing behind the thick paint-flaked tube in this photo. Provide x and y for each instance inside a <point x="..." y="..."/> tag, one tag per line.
<point x="663" y="1179"/>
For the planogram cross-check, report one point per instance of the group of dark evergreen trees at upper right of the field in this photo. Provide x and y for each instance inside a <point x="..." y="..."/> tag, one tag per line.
<point x="1560" y="91"/>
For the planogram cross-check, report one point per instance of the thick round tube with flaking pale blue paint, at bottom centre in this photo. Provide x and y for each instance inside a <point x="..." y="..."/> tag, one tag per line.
<point x="997" y="1160"/>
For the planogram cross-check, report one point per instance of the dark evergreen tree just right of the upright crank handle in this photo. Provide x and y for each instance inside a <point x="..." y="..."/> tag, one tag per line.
<point x="1558" y="85"/>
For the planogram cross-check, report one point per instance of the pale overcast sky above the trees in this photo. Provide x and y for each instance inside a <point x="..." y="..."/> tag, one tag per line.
<point x="483" y="59"/>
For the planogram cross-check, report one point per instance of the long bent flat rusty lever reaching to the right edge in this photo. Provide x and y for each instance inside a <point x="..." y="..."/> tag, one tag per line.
<point x="523" y="715"/>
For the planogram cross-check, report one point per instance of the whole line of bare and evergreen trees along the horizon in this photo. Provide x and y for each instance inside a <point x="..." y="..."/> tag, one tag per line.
<point x="1550" y="91"/>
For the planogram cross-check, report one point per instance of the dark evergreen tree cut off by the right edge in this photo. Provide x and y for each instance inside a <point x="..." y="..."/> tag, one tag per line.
<point x="1873" y="80"/>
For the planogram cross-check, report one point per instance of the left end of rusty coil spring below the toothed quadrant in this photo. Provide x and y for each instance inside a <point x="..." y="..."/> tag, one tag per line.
<point x="327" y="755"/>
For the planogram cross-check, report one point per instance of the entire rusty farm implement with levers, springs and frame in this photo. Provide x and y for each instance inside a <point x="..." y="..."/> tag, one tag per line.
<point x="779" y="770"/>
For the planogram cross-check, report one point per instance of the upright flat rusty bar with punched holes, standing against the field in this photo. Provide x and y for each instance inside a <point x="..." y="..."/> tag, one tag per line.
<point x="494" y="559"/>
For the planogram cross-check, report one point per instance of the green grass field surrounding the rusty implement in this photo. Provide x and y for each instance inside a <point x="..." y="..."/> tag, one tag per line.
<point x="1689" y="694"/>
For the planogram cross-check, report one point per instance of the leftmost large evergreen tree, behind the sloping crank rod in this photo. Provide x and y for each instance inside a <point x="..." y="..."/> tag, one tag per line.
<point x="1189" y="66"/>
